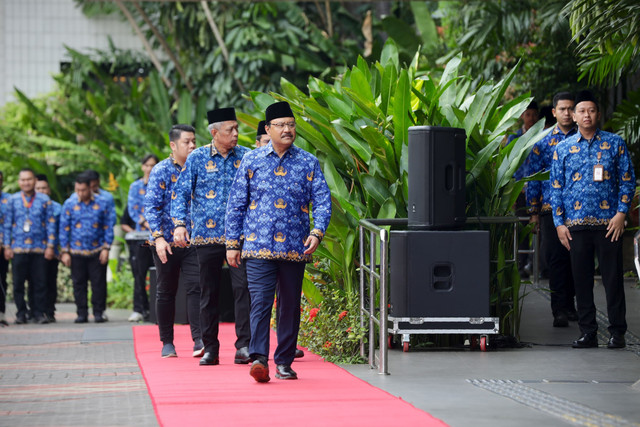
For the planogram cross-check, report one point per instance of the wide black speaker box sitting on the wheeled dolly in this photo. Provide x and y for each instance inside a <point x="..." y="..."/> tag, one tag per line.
<point x="439" y="273"/>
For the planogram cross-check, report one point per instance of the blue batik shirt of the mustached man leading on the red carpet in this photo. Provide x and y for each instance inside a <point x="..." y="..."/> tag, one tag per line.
<point x="270" y="201"/>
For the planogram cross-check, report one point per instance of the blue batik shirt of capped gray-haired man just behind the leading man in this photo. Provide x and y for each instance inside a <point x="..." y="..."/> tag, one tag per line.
<point x="206" y="182"/>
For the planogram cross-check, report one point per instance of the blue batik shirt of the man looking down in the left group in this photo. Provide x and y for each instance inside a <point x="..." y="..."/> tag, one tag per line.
<point x="85" y="227"/>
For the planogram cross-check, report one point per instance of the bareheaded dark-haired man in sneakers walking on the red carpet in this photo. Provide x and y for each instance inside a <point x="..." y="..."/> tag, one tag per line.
<point x="173" y="263"/>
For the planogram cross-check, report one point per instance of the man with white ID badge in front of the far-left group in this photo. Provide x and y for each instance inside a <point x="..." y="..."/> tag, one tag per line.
<point x="28" y="233"/>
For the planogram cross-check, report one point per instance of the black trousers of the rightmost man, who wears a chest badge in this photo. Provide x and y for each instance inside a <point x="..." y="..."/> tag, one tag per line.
<point x="583" y="246"/>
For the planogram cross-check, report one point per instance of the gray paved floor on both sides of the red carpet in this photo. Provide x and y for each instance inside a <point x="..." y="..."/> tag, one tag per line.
<point x="71" y="375"/>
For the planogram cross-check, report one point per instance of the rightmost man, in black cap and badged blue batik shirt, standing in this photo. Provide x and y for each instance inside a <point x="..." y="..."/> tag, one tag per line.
<point x="592" y="185"/>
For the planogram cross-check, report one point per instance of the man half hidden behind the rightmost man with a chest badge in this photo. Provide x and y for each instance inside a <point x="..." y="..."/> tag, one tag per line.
<point x="539" y="202"/>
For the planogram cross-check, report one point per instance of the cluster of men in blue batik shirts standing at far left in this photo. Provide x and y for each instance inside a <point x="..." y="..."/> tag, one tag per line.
<point x="38" y="232"/>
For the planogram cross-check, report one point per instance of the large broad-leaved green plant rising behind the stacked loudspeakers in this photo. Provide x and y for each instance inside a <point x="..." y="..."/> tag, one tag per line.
<point x="358" y="128"/>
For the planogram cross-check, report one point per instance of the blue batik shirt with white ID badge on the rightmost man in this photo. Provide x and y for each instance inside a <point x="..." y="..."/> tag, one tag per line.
<point x="576" y="199"/>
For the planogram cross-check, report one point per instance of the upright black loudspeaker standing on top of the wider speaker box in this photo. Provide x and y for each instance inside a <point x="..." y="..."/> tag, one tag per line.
<point x="436" y="177"/>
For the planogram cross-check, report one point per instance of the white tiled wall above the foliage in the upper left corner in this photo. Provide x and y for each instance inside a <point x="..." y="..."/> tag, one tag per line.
<point x="32" y="38"/>
